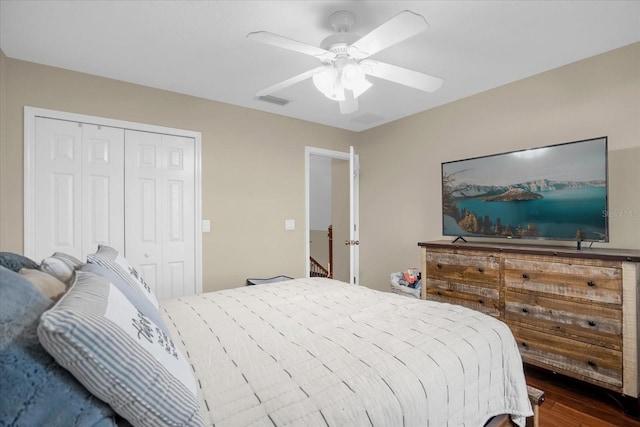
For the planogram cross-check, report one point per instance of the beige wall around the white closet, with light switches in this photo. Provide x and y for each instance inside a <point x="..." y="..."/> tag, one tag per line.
<point x="252" y="164"/>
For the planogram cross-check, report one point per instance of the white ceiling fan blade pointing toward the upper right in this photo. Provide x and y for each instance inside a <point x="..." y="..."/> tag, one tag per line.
<point x="402" y="26"/>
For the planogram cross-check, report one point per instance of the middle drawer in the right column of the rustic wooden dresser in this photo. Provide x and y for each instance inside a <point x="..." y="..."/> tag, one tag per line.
<point x="596" y="324"/>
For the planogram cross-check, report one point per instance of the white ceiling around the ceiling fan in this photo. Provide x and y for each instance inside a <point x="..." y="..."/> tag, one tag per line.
<point x="200" y="48"/>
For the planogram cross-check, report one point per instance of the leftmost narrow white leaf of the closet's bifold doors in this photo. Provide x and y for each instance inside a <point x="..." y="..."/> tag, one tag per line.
<point x="58" y="166"/>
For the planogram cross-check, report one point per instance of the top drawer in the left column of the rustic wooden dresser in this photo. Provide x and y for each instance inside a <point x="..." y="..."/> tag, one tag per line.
<point x="483" y="270"/>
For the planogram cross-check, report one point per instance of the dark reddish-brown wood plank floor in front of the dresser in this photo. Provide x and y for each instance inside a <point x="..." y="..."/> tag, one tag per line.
<point x="570" y="403"/>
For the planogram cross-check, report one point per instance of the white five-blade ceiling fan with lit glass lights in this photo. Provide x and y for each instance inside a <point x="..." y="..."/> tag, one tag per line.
<point x="346" y="61"/>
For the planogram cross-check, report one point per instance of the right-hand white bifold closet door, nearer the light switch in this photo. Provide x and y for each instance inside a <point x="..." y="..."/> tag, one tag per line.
<point x="159" y="211"/>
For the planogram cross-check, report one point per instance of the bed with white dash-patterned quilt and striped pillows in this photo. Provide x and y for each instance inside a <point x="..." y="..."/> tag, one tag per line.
<point x="301" y="352"/>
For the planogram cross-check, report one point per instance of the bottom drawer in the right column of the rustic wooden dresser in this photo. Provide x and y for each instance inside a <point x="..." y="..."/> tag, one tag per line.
<point x="577" y="359"/>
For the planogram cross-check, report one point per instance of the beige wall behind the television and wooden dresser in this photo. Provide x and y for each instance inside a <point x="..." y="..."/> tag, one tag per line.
<point x="400" y="177"/>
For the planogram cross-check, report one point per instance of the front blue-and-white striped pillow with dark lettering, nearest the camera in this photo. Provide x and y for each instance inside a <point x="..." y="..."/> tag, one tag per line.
<point x="120" y="355"/>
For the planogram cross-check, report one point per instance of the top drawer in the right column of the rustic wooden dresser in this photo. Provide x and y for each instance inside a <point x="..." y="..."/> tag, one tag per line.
<point x="577" y="281"/>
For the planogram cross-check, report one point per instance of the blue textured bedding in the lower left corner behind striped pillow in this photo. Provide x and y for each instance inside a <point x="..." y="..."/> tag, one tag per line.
<point x="34" y="389"/>
